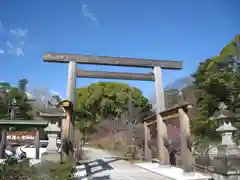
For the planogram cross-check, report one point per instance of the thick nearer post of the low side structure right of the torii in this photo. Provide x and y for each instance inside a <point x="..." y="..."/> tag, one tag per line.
<point x="185" y="150"/>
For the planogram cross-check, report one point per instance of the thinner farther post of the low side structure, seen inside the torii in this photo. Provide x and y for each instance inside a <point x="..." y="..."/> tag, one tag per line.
<point x="147" y="137"/>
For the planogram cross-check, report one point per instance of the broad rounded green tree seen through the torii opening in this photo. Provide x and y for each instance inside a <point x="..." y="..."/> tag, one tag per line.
<point x="107" y="99"/>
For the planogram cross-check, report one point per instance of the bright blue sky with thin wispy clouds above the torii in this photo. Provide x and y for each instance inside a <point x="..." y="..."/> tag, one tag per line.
<point x="187" y="30"/>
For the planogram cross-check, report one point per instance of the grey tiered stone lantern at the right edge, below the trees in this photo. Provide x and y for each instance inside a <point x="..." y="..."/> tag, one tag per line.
<point x="226" y="162"/>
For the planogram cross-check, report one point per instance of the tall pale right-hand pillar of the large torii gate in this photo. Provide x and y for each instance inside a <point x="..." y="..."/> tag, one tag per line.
<point x="160" y="106"/>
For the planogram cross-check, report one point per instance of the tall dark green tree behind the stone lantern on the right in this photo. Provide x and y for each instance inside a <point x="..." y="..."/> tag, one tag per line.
<point x="217" y="80"/>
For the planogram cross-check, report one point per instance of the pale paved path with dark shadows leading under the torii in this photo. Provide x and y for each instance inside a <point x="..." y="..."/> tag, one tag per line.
<point x="102" y="165"/>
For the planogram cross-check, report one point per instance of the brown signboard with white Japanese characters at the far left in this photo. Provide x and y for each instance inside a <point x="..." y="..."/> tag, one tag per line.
<point x="21" y="135"/>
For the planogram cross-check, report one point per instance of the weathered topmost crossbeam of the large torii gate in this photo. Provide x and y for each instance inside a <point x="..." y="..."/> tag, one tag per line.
<point x="111" y="61"/>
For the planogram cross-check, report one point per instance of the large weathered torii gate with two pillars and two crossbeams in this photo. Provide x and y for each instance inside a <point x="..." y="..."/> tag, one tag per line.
<point x="156" y="76"/>
